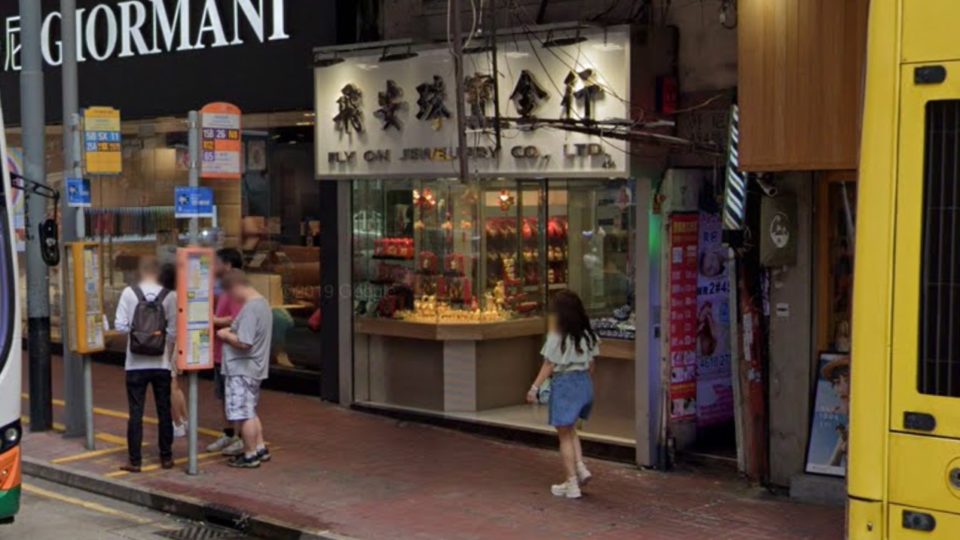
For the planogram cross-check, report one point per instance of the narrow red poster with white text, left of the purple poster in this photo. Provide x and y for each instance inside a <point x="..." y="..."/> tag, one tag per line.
<point x="683" y="316"/>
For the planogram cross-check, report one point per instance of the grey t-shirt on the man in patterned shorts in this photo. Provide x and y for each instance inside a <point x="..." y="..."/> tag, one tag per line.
<point x="253" y="326"/>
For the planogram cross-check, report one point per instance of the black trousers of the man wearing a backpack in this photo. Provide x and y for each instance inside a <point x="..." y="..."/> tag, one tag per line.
<point x="137" y="382"/>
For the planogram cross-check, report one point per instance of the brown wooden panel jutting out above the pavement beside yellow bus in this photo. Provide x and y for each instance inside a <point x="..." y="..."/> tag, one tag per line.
<point x="800" y="83"/>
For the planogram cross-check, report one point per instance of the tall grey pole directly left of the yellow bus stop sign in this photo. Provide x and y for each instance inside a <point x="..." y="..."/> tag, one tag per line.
<point x="72" y="364"/>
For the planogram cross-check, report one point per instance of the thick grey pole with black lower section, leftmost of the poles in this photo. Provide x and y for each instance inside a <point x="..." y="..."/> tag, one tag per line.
<point x="38" y="281"/>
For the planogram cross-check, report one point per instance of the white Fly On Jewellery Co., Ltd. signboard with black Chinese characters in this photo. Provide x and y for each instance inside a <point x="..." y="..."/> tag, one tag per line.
<point x="379" y="119"/>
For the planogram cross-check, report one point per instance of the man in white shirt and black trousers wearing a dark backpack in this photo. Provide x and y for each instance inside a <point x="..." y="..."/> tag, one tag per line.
<point x="147" y="314"/>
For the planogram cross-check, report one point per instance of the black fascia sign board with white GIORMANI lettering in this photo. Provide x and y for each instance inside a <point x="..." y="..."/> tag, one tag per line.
<point x="154" y="58"/>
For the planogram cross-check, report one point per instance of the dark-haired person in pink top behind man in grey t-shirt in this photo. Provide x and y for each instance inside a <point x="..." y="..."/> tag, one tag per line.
<point x="225" y="312"/>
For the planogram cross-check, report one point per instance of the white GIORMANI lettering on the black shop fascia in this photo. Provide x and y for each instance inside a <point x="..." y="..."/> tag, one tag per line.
<point x="134" y="28"/>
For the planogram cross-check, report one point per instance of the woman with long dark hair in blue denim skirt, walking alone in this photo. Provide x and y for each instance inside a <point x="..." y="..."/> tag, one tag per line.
<point x="568" y="359"/>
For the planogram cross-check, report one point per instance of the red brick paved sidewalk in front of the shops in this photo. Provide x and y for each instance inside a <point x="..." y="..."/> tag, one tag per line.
<point x="369" y="477"/>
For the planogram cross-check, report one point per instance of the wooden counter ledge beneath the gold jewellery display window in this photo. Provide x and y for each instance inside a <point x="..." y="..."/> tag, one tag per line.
<point x="530" y="326"/>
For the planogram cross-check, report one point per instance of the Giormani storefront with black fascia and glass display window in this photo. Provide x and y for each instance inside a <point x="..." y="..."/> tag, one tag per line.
<point x="155" y="62"/>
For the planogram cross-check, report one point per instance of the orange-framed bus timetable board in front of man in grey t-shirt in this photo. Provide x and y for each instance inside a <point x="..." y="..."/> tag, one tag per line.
<point x="194" y="309"/>
